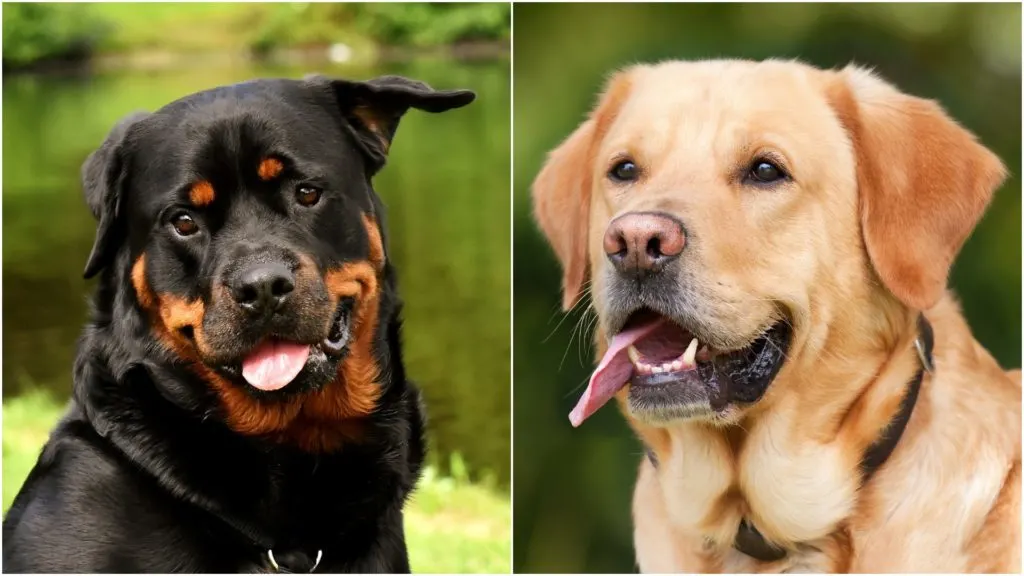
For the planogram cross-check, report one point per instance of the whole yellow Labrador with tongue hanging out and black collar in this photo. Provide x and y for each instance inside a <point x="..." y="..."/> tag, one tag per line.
<point x="766" y="248"/>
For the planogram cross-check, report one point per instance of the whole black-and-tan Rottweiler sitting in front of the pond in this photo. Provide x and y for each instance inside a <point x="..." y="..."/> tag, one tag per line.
<point x="240" y="400"/>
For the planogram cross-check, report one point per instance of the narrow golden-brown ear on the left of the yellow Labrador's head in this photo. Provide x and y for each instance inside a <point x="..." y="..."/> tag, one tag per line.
<point x="563" y="190"/>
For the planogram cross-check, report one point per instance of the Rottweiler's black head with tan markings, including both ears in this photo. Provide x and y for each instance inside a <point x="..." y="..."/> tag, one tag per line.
<point x="243" y="227"/>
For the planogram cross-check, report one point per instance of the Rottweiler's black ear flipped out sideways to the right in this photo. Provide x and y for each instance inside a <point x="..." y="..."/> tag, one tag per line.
<point x="374" y="108"/>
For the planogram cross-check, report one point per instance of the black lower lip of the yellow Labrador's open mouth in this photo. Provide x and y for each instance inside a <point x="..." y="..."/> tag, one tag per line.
<point x="740" y="377"/>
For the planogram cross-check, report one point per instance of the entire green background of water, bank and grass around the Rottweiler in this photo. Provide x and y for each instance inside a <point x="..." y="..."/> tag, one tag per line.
<point x="447" y="187"/>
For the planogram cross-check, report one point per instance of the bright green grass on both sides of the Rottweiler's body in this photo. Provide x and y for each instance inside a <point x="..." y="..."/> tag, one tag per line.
<point x="452" y="525"/>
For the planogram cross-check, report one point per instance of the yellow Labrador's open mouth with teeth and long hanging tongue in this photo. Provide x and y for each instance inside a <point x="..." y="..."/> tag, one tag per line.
<point x="672" y="376"/>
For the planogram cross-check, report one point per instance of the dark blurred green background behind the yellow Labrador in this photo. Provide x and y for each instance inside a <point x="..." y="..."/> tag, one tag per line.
<point x="573" y="488"/>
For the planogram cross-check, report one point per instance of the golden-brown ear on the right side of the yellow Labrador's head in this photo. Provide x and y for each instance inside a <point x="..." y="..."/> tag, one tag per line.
<point x="924" y="184"/>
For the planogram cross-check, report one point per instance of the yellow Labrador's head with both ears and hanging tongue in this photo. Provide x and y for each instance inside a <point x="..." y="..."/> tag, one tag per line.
<point x="734" y="217"/>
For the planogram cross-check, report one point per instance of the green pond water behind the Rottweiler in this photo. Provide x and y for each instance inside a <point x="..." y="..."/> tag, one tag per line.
<point x="447" y="188"/>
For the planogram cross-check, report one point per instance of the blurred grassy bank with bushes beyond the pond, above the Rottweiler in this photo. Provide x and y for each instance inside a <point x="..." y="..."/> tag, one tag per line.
<point x="36" y="32"/>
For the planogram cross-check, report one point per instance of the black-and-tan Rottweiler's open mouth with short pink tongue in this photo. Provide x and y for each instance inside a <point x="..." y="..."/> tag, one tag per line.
<point x="277" y="362"/>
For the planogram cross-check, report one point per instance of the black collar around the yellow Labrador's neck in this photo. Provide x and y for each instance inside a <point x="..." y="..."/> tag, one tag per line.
<point x="752" y="543"/>
